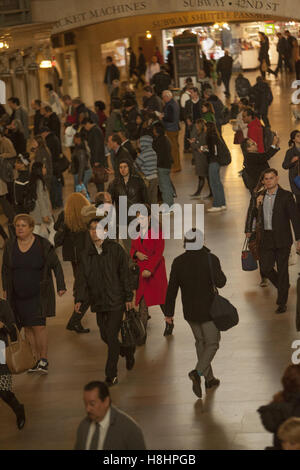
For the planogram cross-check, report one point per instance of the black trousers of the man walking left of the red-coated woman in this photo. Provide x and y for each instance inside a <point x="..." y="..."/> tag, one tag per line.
<point x="109" y="325"/>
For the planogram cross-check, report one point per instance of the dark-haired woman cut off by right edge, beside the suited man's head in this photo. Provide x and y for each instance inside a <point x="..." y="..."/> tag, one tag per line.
<point x="291" y="163"/>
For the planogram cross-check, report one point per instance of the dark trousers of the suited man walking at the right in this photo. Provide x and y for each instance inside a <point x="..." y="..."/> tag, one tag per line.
<point x="269" y="255"/>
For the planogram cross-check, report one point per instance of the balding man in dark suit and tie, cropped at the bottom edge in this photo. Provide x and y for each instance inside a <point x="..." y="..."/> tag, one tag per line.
<point x="106" y="427"/>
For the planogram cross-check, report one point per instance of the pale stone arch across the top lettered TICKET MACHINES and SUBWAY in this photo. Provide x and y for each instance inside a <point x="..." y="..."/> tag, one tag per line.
<point x="76" y="13"/>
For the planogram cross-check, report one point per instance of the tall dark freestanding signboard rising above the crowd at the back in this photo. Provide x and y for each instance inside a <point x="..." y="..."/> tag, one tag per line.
<point x="186" y="57"/>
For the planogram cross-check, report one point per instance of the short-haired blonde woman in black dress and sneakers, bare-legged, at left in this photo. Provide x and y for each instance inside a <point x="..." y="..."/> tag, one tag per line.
<point x="28" y="261"/>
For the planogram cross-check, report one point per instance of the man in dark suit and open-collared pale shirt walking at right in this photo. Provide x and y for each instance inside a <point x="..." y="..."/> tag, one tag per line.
<point x="274" y="211"/>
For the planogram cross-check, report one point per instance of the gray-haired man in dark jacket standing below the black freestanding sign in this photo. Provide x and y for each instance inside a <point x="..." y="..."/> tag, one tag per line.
<point x="170" y="119"/>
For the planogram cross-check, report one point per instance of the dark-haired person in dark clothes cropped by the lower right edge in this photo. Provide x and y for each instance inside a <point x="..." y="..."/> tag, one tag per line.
<point x="285" y="404"/>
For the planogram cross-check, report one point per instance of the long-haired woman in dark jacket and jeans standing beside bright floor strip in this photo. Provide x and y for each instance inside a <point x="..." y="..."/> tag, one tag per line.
<point x="215" y="146"/>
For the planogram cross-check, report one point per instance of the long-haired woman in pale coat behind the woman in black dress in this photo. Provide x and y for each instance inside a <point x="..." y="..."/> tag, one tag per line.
<point x="42" y="211"/>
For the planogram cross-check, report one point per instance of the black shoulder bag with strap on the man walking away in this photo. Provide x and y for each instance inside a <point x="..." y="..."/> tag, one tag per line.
<point x="222" y="312"/>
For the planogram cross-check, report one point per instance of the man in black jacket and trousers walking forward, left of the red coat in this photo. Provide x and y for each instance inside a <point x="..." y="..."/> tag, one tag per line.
<point x="103" y="282"/>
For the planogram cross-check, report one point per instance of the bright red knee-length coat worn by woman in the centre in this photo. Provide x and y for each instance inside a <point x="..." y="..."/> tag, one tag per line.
<point x="154" y="288"/>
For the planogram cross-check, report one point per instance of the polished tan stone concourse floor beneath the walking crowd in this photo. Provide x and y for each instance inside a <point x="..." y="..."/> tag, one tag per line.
<point x="157" y="392"/>
